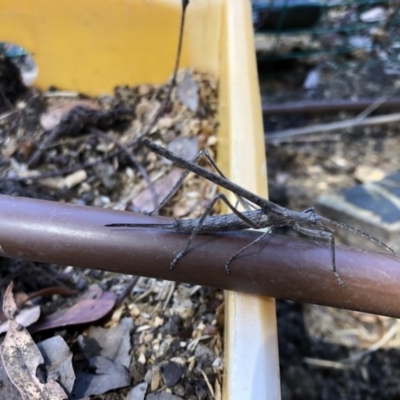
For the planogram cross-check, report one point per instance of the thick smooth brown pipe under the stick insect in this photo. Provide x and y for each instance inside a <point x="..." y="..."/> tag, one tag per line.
<point x="280" y="266"/>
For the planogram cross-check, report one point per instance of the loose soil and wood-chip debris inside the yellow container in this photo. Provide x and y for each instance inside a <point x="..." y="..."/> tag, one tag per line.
<point x="172" y="325"/>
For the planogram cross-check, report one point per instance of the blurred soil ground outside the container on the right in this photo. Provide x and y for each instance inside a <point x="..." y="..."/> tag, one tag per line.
<point x="299" y="170"/>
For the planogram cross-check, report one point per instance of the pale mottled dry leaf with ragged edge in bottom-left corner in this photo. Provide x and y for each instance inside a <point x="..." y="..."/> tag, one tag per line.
<point x="21" y="358"/>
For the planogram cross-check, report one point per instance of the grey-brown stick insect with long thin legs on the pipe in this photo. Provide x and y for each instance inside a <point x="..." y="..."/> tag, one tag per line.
<point x="268" y="215"/>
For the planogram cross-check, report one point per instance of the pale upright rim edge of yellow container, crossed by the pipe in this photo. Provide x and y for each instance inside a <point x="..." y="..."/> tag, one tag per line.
<point x="251" y="346"/>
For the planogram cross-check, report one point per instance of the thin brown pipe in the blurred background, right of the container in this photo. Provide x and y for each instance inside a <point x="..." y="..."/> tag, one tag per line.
<point x="320" y="106"/>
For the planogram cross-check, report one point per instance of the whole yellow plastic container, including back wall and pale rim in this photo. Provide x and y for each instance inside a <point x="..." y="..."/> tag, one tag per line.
<point x="91" y="46"/>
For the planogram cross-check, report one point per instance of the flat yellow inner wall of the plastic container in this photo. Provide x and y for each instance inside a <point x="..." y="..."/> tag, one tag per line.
<point x="91" y="45"/>
